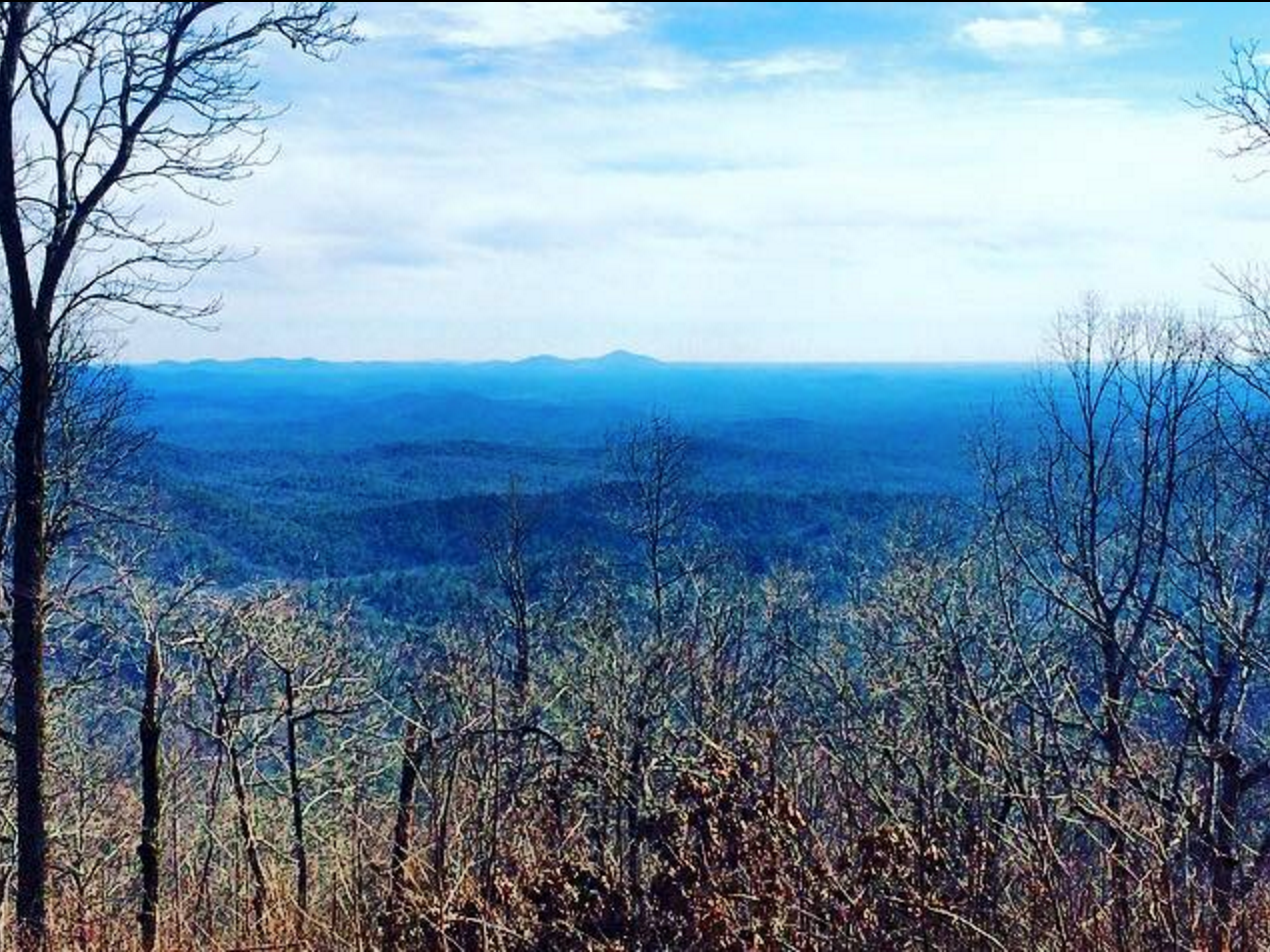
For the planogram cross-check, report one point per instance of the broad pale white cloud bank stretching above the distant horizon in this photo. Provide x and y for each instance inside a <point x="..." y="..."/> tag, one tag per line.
<point x="740" y="220"/>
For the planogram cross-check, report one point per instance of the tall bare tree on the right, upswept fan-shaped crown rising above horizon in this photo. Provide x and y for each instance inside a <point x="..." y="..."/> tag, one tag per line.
<point x="1092" y="517"/>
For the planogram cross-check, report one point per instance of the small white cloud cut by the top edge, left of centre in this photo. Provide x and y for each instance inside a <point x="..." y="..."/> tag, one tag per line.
<point x="500" y="26"/>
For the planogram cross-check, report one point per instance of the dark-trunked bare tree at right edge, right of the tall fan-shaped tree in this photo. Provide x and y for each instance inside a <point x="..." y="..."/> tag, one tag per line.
<point x="1219" y="624"/>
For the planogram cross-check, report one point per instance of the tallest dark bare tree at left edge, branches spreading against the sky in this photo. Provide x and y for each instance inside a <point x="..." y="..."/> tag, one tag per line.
<point x="98" y="102"/>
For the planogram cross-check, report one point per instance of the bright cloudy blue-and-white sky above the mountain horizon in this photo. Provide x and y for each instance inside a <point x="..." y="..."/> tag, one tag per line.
<point x="731" y="182"/>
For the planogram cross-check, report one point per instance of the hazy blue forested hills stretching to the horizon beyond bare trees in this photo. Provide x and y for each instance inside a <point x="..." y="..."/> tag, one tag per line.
<point x="316" y="470"/>
